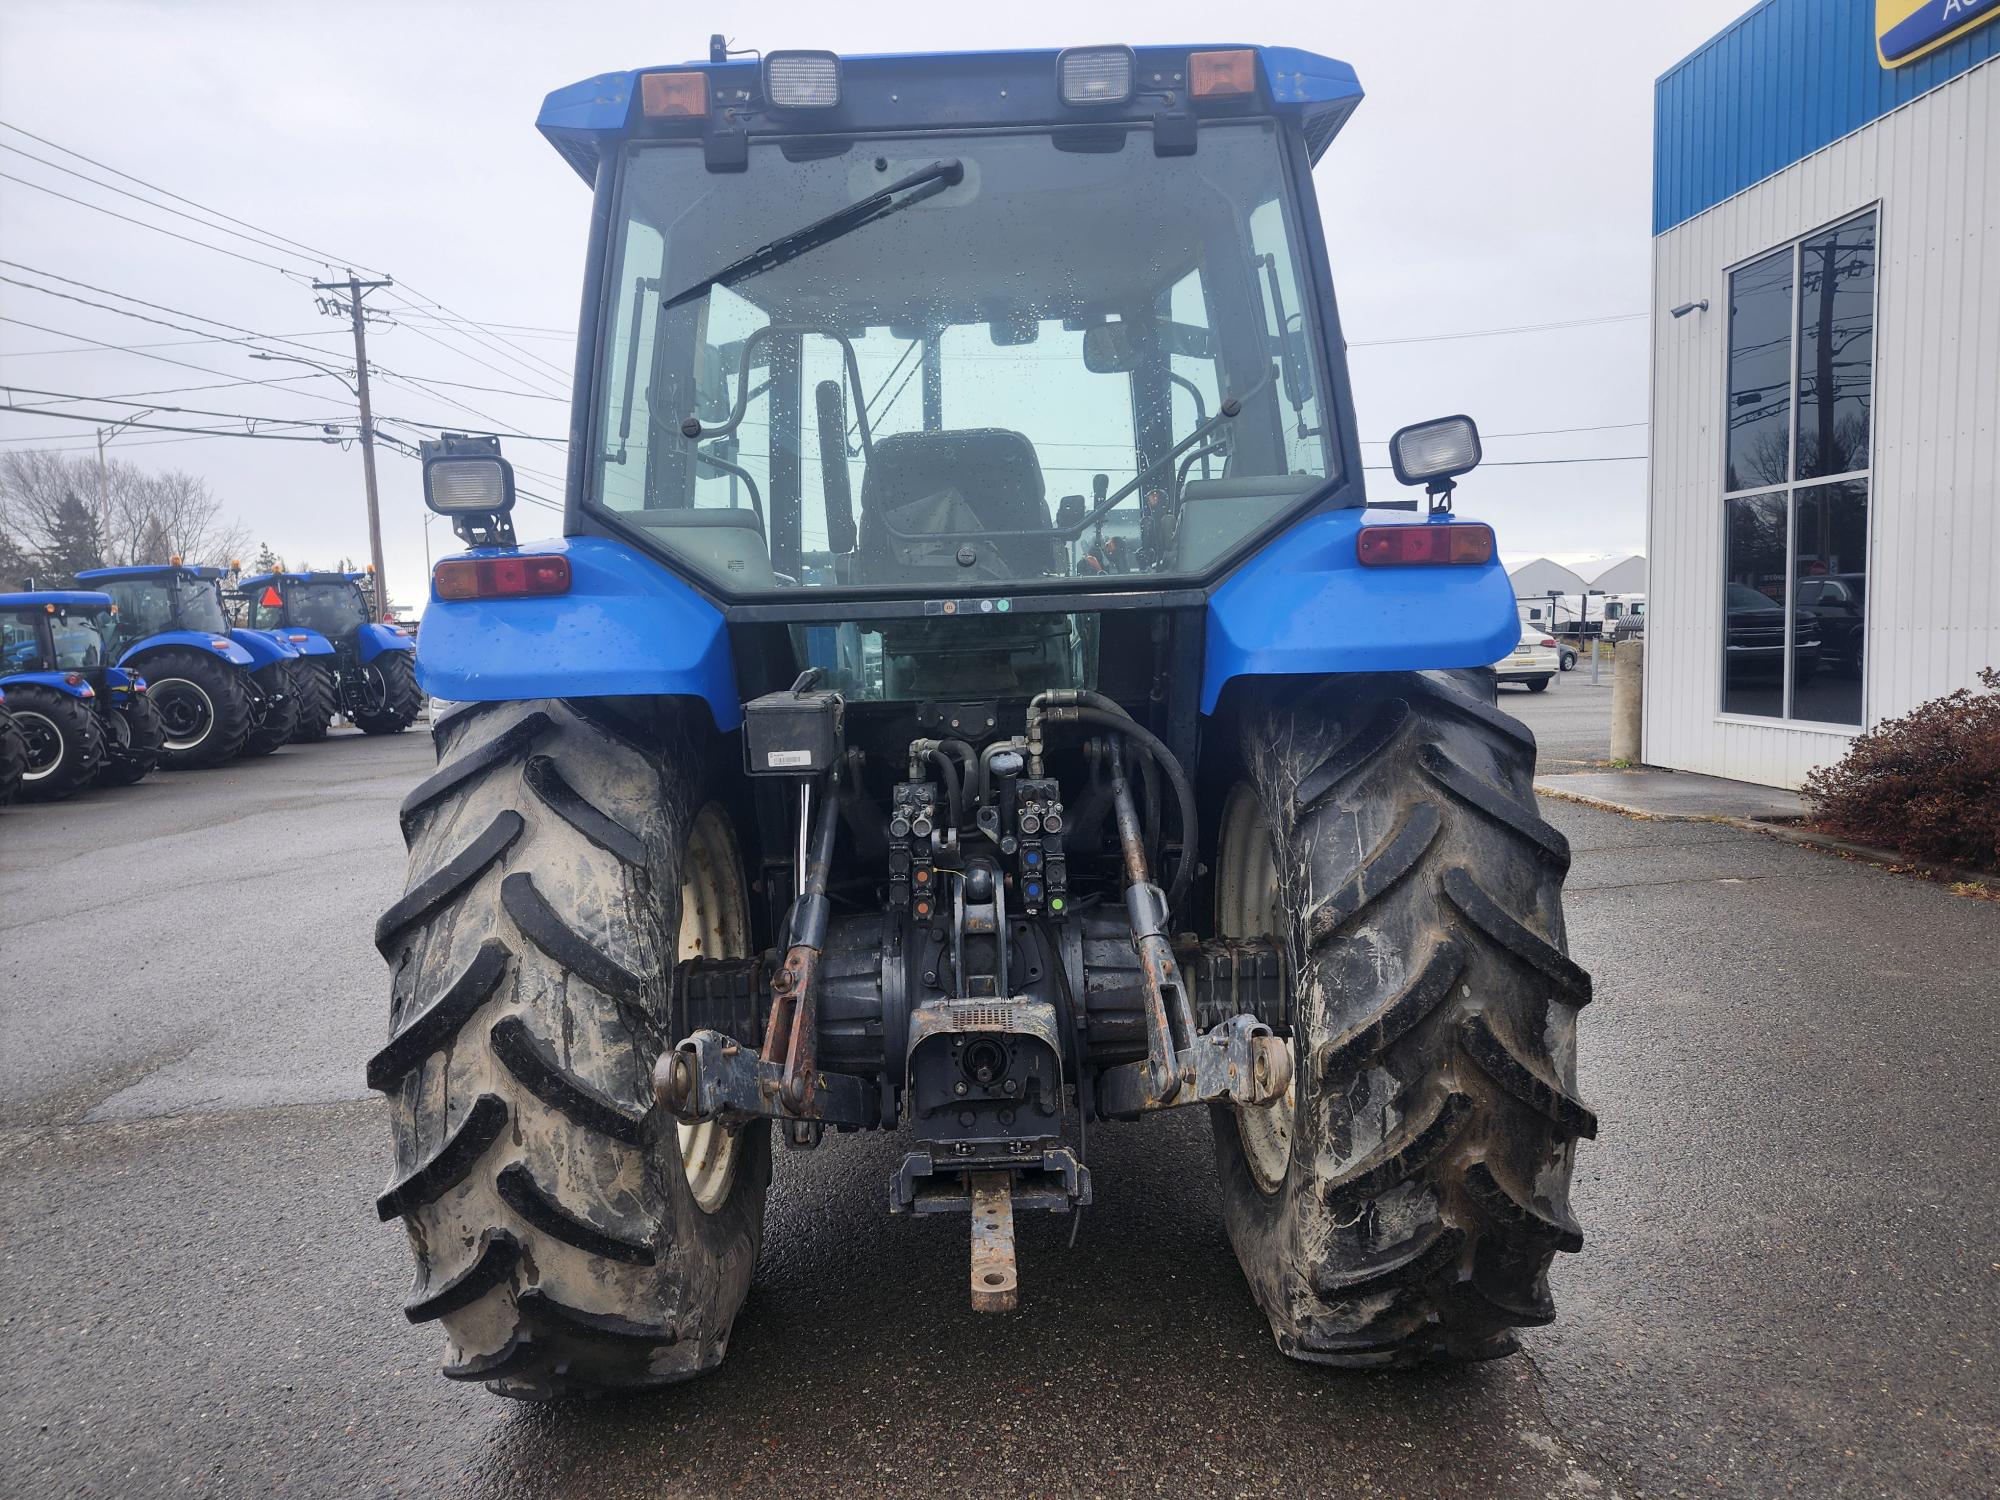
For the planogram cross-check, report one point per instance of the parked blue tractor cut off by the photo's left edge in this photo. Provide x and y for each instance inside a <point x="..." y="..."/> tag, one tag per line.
<point x="55" y="655"/>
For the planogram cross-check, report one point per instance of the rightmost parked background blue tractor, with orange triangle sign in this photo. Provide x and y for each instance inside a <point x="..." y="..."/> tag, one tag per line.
<point x="353" y="663"/>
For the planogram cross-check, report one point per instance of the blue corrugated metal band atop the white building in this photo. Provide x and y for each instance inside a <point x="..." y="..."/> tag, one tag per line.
<point x="1775" y="87"/>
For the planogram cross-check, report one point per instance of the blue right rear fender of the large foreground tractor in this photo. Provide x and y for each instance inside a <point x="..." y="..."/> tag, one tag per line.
<point x="1305" y="605"/>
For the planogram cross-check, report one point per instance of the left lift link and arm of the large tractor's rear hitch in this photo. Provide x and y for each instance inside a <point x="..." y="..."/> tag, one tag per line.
<point x="713" y="1077"/>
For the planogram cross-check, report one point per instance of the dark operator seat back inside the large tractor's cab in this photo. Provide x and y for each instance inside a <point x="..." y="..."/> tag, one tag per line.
<point x="997" y="477"/>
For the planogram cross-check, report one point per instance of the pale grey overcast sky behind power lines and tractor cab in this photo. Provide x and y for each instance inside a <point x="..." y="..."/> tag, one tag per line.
<point x="1497" y="175"/>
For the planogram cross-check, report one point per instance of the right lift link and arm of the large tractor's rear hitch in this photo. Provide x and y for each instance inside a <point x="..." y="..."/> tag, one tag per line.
<point x="1237" y="1061"/>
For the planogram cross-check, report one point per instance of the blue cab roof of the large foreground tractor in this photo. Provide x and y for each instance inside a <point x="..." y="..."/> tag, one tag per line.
<point x="915" y="91"/>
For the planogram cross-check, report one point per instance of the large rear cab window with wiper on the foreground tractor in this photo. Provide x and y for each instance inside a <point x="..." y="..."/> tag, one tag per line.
<point x="1053" y="359"/>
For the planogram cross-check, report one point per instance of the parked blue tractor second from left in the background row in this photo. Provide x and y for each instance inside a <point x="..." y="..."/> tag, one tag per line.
<point x="221" y="691"/>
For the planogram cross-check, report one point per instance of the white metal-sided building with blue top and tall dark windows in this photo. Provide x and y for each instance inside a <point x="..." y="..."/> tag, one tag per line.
<point x="1825" y="477"/>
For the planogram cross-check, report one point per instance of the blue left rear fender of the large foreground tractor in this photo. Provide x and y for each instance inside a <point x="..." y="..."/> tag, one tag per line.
<point x="625" y="629"/>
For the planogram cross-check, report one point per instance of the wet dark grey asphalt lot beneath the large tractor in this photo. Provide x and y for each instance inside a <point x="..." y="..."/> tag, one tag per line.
<point x="1791" y="1281"/>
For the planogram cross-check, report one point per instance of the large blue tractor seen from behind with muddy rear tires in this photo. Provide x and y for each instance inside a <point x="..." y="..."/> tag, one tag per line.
<point x="971" y="697"/>
